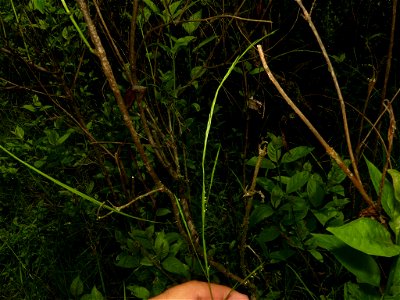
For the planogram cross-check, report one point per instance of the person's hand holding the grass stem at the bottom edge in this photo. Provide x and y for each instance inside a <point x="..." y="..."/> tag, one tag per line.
<point x="197" y="290"/>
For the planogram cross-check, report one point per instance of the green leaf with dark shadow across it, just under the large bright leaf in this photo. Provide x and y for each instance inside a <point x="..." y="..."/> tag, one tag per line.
<point x="363" y="266"/>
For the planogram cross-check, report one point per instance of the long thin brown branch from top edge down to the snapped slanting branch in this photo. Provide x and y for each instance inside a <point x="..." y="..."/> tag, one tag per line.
<point x="307" y="17"/>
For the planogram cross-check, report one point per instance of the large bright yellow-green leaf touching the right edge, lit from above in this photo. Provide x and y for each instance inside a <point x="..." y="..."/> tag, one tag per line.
<point x="368" y="236"/>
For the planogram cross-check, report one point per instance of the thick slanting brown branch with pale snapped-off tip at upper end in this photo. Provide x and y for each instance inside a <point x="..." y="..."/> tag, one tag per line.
<point x="329" y="150"/>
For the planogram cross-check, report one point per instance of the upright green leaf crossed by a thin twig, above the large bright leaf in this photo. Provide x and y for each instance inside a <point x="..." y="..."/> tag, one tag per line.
<point x="387" y="197"/>
